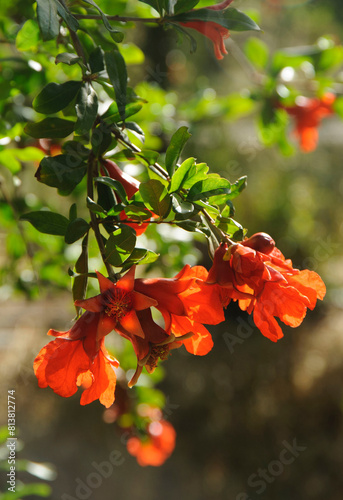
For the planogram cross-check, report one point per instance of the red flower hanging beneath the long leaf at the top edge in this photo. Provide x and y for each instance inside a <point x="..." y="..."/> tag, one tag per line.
<point x="212" y="30"/>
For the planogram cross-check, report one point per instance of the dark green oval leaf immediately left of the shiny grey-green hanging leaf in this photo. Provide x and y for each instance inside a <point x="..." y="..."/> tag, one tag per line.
<point x="54" y="96"/>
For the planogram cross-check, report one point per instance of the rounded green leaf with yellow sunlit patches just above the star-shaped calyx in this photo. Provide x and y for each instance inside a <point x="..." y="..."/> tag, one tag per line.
<point x="120" y="245"/>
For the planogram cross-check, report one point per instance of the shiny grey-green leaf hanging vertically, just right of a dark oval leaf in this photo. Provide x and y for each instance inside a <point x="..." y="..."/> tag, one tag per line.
<point x="86" y="109"/>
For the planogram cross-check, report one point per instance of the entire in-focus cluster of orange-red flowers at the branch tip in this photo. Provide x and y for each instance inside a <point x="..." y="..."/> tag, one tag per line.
<point x="253" y="272"/>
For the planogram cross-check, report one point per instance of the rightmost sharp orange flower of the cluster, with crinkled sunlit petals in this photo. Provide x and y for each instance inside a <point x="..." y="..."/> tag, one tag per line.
<point x="272" y="287"/>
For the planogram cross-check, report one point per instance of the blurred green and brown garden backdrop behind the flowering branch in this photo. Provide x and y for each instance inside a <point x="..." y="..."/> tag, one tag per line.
<point x="237" y="409"/>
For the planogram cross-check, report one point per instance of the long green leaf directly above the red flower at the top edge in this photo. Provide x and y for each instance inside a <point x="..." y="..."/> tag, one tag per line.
<point x="231" y="18"/>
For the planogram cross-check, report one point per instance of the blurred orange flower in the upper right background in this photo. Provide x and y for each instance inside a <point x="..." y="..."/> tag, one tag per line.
<point x="308" y="114"/>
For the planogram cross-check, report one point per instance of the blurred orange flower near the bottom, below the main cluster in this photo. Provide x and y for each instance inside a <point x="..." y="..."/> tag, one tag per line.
<point x="157" y="445"/>
